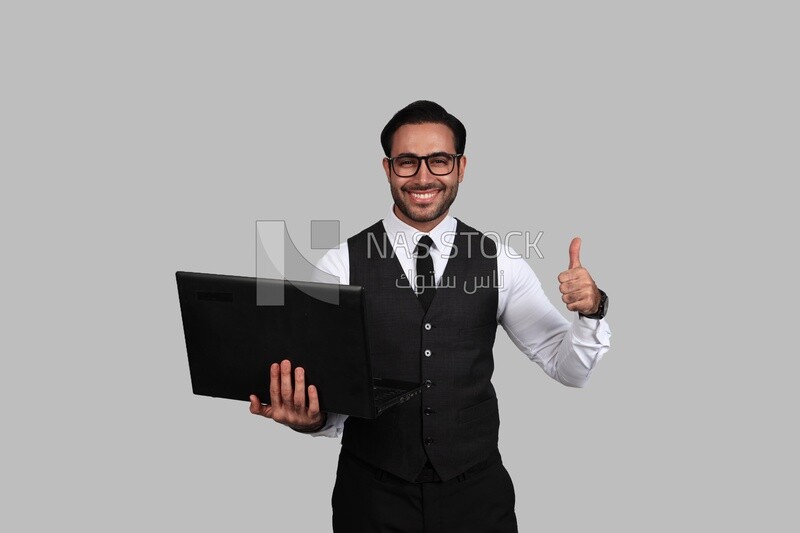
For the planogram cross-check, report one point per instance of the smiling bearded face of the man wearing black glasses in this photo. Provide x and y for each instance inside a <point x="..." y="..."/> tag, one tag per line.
<point x="423" y="199"/>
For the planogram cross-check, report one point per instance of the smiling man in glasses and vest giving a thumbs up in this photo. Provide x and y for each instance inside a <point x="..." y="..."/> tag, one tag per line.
<point x="432" y="464"/>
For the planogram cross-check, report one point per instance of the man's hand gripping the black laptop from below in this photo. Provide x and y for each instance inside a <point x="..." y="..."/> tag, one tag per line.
<point x="288" y="403"/>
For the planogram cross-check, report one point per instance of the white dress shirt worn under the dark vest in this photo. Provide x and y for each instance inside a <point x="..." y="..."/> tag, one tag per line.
<point x="566" y="351"/>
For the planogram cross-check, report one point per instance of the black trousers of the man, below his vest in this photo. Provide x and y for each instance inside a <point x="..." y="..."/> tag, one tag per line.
<point x="367" y="499"/>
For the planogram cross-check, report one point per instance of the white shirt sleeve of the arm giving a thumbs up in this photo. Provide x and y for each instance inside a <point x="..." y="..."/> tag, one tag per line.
<point x="567" y="352"/>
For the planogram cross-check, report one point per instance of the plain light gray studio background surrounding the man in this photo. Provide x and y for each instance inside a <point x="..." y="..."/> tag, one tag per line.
<point x="142" y="138"/>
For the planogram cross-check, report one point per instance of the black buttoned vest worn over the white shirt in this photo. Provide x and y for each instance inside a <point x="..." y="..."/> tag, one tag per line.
<point x="454" y="422"/>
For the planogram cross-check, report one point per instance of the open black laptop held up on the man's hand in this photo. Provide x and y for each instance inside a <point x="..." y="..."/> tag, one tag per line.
<point x="231" y="341"/>
